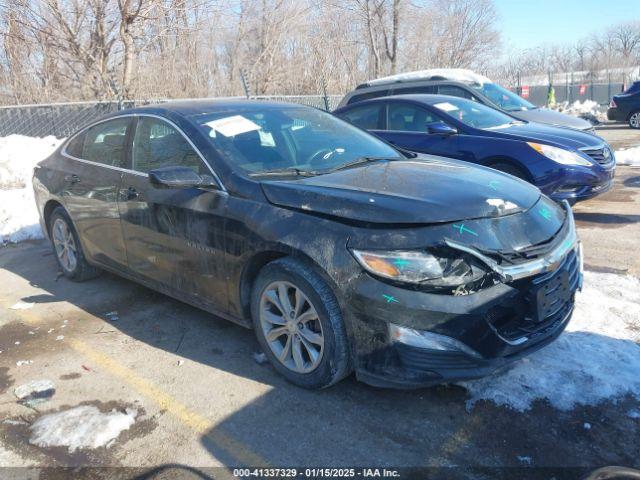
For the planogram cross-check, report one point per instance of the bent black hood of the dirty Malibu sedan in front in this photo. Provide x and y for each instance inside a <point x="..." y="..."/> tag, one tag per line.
<point x="424" y="190"/>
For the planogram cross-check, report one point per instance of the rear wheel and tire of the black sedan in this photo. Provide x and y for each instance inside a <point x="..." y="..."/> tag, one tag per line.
<point x="67" y="248"/>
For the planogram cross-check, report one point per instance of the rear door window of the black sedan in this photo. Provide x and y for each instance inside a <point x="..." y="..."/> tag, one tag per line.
<point x="103" y="143"/>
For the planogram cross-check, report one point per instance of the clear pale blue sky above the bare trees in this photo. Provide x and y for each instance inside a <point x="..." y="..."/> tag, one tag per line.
<point x="528" y="23"/>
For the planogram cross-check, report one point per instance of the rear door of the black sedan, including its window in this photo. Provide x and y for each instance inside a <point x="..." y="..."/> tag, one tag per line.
<point x="93" y="171"/>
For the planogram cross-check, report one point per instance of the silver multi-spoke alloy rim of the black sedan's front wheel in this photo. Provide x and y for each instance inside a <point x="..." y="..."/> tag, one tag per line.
<point x="291" y="327"/>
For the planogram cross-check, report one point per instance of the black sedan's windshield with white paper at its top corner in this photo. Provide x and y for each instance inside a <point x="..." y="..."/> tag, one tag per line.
<point x="291" y="140"/>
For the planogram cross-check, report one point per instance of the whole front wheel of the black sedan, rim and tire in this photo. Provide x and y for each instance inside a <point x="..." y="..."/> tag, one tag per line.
<point x="299" y="325"/>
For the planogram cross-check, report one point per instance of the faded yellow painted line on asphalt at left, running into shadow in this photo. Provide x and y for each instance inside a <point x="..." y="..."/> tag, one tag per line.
<point x="194" y="421"/>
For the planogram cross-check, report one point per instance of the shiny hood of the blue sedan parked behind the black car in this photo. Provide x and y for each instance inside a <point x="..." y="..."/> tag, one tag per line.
<point x="563" y="137"/>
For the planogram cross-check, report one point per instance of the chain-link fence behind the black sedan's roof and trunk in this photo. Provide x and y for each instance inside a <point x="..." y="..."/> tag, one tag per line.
<point x="63" y="119"/>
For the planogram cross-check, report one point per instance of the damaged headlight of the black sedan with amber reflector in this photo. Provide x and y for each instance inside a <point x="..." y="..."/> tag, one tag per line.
<point x="420" y="267"/>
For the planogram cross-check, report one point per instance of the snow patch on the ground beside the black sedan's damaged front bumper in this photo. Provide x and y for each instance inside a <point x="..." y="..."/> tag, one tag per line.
<point x="595" y="359"/>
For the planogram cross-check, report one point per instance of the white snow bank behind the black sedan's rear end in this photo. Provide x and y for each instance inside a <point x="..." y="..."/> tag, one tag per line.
<point x="18" y="213"/>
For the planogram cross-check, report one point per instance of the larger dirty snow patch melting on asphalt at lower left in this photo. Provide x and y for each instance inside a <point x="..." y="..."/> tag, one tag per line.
<point x="80" y="427"/>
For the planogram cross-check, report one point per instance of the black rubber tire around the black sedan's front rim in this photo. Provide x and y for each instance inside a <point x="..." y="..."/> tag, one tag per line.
<point x="335" y="363"/>
